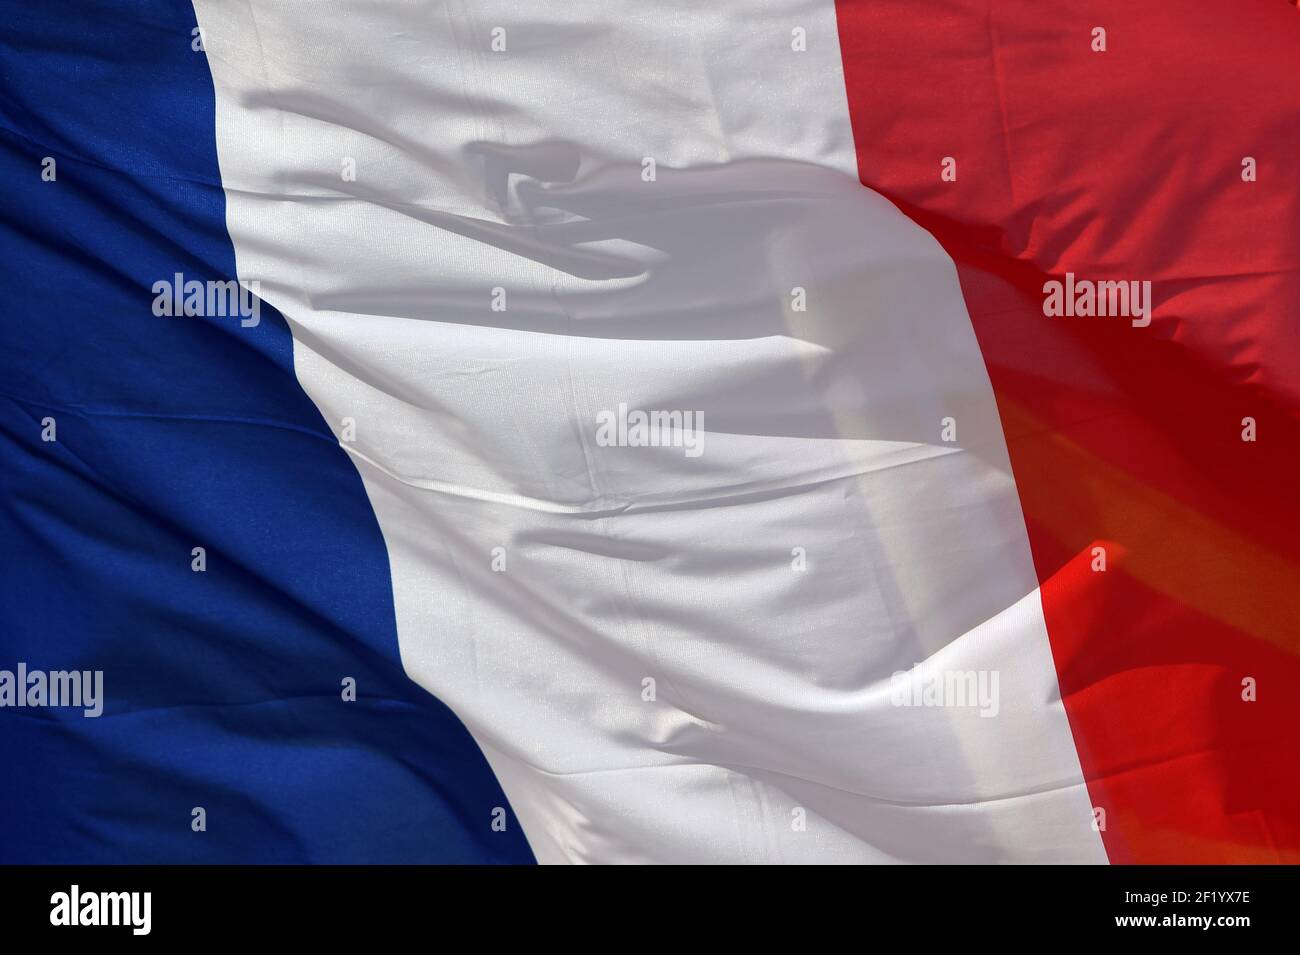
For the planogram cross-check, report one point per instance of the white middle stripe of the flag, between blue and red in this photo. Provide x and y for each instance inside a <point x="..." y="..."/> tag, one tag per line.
<point x="478" y="429"/>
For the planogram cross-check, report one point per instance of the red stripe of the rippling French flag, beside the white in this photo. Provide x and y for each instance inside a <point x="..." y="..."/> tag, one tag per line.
<point x="1126" y="164"/>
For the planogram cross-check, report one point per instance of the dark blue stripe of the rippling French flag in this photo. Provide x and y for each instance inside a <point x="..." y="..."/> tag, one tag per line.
<point x="223" y="689"/>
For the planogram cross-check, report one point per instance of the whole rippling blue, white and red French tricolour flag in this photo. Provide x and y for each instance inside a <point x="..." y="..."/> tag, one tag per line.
<point x="788" y="432"/>
